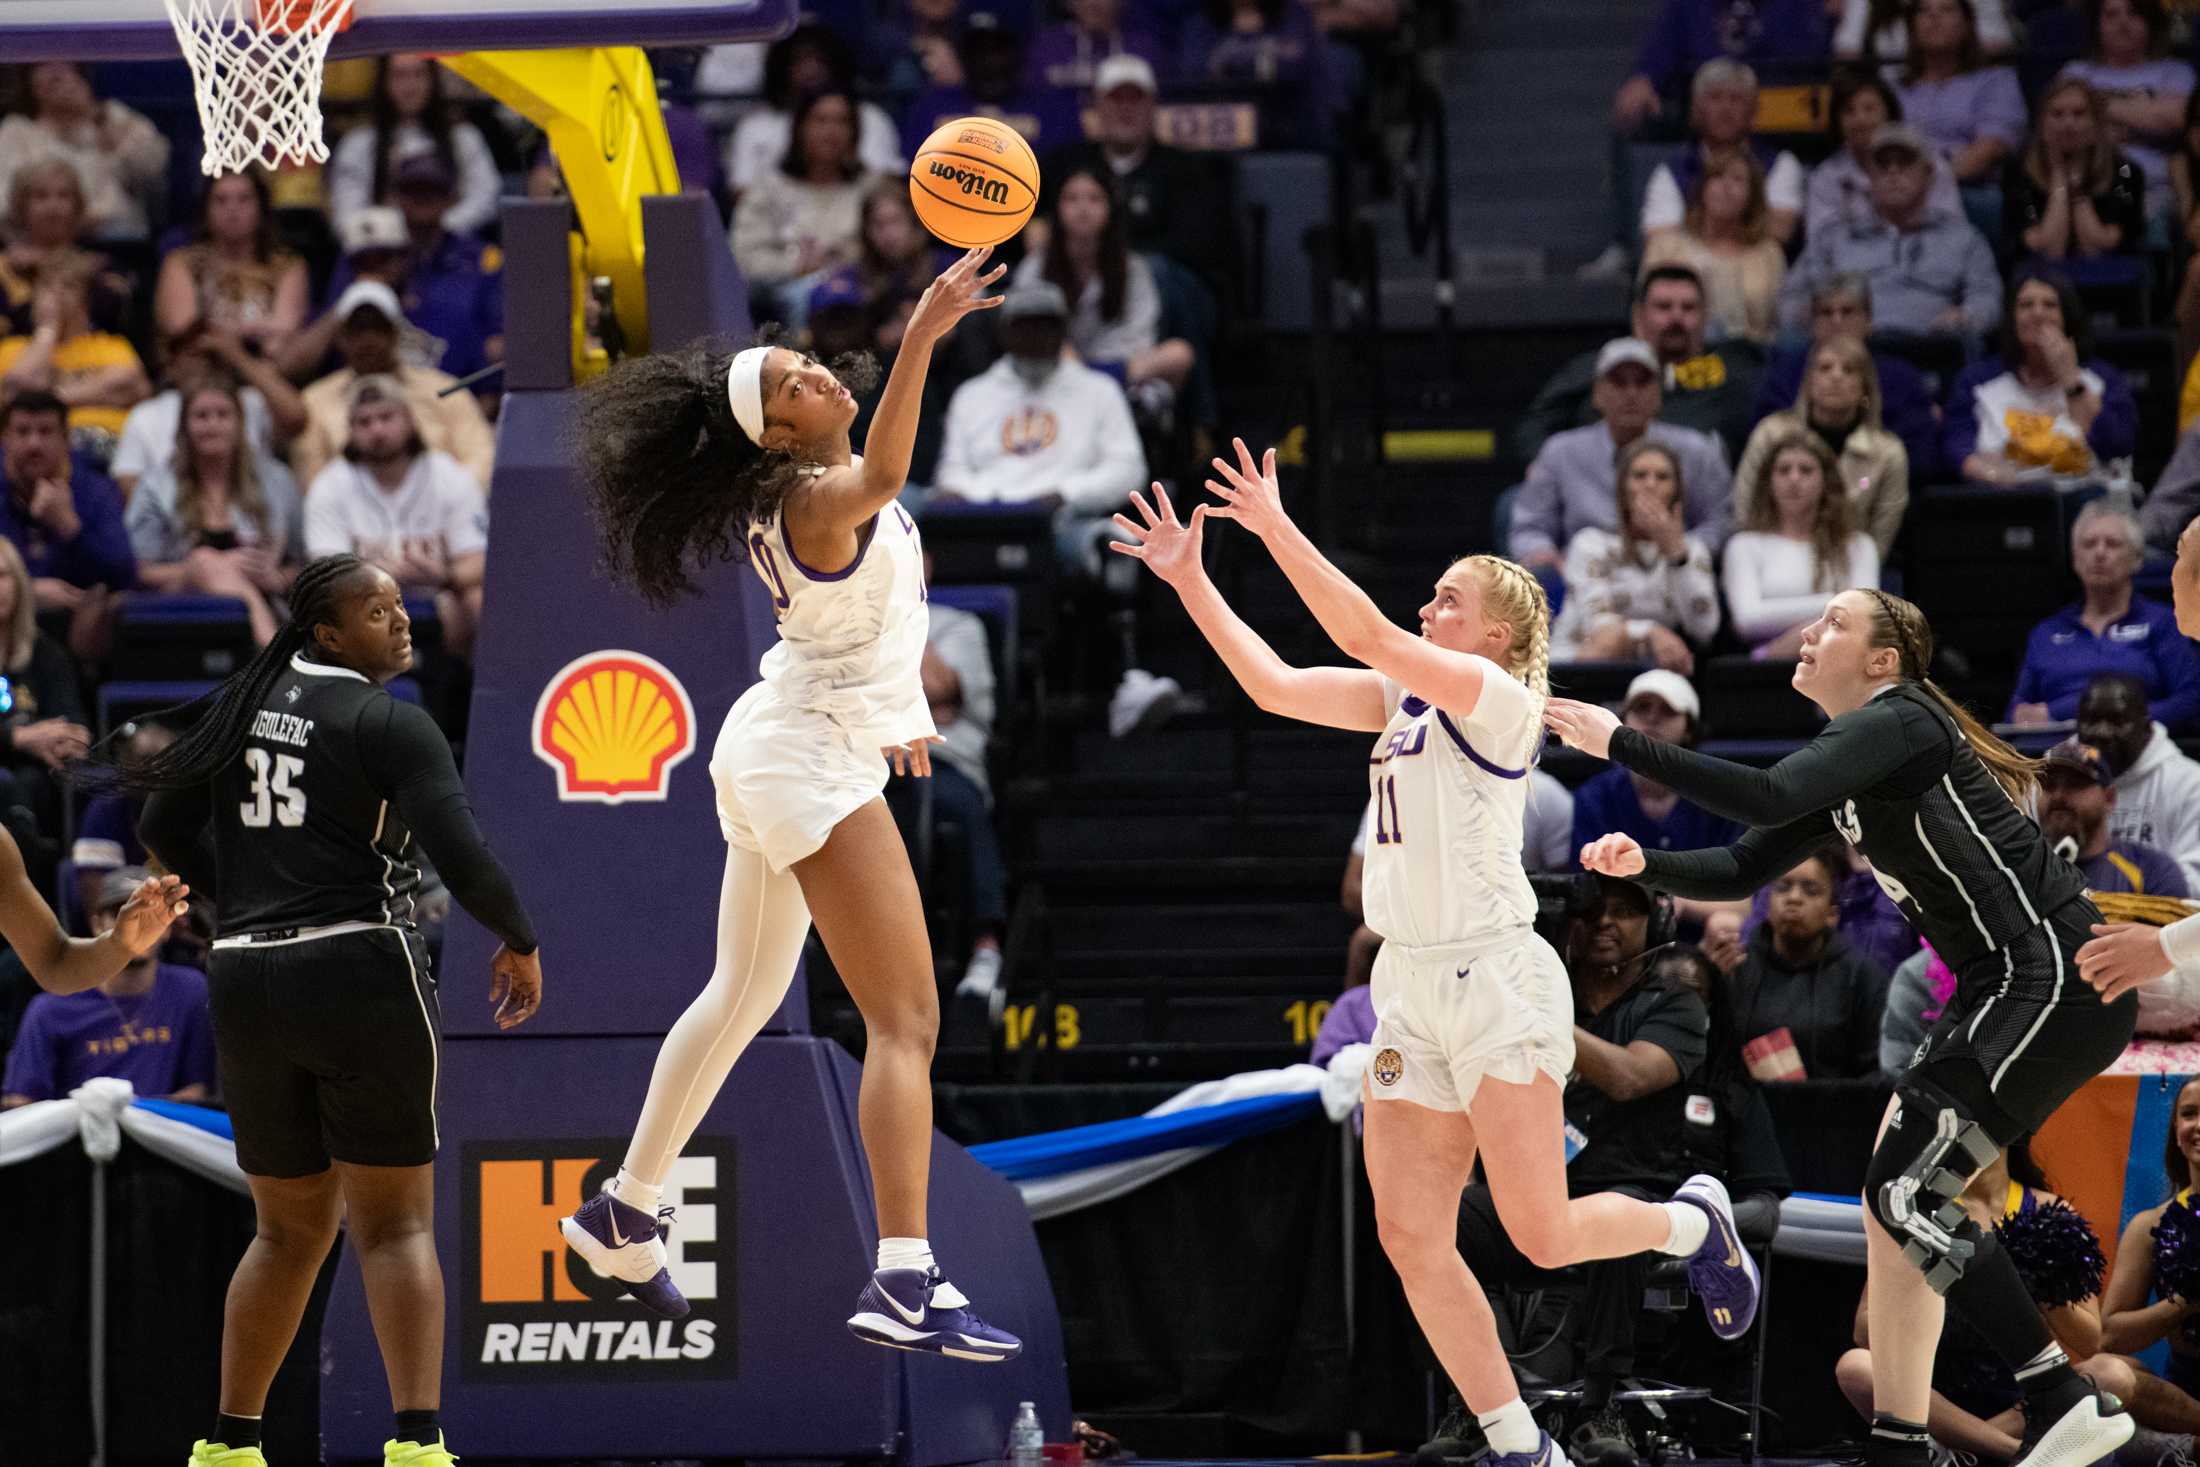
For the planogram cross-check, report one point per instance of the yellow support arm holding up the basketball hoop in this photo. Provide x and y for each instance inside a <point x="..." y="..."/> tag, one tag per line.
<point x="599" y="107"/>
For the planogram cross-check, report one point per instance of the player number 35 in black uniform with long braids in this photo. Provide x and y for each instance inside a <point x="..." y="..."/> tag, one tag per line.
<point x="294" y="804"/>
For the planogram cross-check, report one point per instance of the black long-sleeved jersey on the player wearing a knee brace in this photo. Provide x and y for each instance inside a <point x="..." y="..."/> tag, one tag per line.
<point x="1897" y="782"/>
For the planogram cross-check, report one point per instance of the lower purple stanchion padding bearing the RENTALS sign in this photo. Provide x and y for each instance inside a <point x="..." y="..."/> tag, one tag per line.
<point x="771" y="1246"/>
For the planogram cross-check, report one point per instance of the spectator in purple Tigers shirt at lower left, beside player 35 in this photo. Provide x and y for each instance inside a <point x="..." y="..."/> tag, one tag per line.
<point x="146" y="1026"/>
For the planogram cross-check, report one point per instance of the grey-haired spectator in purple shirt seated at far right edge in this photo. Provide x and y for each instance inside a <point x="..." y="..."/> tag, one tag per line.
<point x="2113" y="630"/>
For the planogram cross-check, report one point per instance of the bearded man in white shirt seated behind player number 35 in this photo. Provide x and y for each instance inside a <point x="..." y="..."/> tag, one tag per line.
<point x="404" y="505"/>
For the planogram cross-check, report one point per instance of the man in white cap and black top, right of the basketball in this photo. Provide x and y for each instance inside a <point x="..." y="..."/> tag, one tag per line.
<point x="1174" y="203"/>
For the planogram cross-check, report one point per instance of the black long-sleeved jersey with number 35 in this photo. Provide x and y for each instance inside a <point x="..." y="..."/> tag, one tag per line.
<point x="316" y="819"/>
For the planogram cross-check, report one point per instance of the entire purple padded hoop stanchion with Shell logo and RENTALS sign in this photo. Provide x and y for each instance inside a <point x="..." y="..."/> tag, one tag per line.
<point x="588" y="766"/>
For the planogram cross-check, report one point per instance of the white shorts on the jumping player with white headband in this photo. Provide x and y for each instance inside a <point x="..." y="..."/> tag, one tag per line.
<point x="786" y="777"/>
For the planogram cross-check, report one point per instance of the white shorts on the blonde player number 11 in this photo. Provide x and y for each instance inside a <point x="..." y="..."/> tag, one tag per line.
<point x="1446" y="1019"/>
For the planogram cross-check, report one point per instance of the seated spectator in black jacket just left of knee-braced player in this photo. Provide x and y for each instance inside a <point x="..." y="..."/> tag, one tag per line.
<point x="1809" y="1004"/>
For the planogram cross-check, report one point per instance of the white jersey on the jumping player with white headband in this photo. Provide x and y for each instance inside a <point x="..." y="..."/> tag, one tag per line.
<point x="850" y="643"/>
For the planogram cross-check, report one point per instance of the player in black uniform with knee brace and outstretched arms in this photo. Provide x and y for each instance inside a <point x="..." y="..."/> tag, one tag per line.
<point x="1933" y="802"/>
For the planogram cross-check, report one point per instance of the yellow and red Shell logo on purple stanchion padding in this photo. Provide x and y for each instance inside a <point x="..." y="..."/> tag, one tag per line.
<point x="615" y="725"/>
